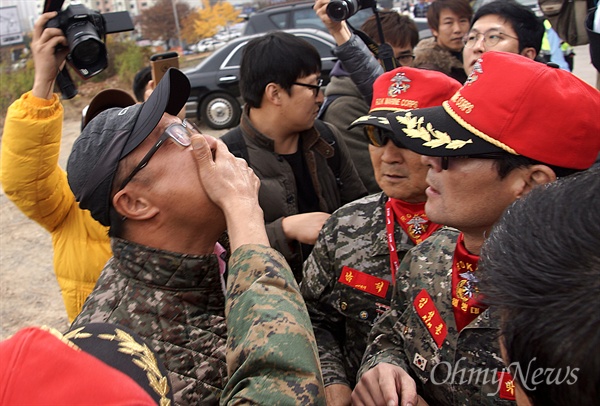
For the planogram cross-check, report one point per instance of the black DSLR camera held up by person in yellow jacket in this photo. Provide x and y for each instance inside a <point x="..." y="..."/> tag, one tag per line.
<point x="86" y="30"/>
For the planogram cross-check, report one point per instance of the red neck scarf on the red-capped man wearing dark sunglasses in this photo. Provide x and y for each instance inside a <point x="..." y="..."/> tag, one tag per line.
<point x="413" y="220"/>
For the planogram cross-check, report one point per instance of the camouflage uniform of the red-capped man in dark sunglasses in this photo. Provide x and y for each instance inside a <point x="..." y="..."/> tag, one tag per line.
<point x="354" y="236"/>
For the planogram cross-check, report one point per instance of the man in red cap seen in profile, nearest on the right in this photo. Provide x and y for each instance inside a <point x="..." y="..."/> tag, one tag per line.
<point x="440" y="338"/>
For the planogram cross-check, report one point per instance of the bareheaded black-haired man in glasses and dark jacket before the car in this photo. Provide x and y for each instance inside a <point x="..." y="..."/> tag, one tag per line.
<point x="305" y="169"/>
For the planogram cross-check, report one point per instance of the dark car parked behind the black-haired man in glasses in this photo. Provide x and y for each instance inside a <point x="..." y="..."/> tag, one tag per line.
<point x="215" y="94"/>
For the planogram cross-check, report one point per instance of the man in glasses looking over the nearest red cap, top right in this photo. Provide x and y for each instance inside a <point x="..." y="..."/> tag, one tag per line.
<point x="502" y="25"/>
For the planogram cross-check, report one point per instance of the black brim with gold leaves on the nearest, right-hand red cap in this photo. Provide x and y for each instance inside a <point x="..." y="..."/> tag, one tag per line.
<point x="432" y="131"/>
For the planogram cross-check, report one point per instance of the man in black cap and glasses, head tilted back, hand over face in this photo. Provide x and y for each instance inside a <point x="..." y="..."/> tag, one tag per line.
<point x="167" y="194"/>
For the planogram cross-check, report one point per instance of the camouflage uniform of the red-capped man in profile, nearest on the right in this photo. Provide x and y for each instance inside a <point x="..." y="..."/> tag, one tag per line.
<point x="400" y="336"/>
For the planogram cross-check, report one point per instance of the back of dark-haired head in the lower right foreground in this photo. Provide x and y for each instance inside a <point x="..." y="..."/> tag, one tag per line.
<point x="546" y="287"/>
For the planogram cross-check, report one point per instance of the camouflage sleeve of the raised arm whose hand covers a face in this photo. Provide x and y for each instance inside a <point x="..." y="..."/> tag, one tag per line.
<point x="271" y="351"/>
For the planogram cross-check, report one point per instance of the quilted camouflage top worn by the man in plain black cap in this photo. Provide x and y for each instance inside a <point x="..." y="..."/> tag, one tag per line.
<point x="173" y="301"/>
